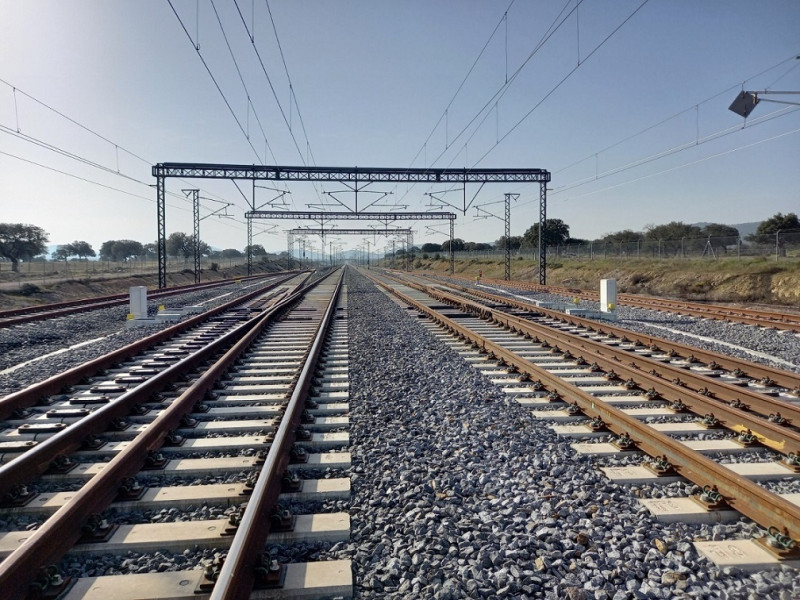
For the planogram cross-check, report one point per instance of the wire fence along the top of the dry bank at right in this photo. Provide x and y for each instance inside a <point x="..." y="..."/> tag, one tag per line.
<point x="783" y="245"/>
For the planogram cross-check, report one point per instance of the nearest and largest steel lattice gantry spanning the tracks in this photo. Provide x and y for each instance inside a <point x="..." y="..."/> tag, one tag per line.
<point x="163" y="171"/>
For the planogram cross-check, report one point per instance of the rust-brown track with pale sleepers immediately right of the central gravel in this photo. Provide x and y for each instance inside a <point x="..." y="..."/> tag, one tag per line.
<point x="584" y="375"/>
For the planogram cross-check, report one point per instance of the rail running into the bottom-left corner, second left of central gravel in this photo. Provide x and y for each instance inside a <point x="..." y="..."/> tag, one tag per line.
<point x="59" y="533"/>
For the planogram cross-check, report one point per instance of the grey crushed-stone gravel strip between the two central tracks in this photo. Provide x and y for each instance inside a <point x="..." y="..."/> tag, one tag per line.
<point x="459" y="493"/>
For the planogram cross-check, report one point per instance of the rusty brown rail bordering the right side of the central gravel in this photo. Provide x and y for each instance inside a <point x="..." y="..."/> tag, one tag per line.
<point x="750" y="499"/>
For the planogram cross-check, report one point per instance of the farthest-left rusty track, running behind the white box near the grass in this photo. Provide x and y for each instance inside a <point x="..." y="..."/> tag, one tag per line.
<point x="19" y="316"/>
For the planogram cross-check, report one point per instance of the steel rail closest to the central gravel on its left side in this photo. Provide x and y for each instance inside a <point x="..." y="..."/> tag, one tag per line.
<point x="237" y="576"/>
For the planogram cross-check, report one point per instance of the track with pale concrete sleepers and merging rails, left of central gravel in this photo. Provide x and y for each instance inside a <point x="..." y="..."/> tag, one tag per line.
<point x="244" y="404"/>
